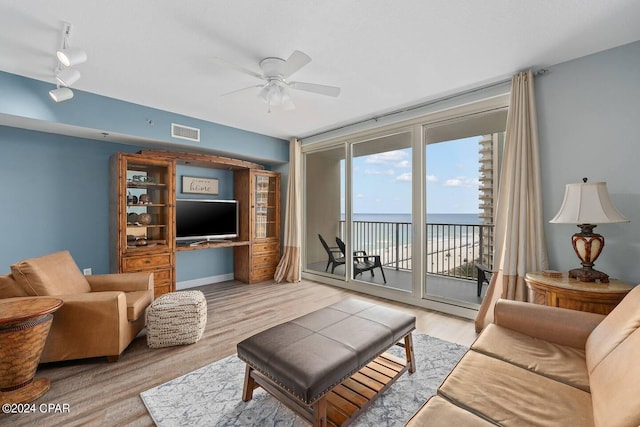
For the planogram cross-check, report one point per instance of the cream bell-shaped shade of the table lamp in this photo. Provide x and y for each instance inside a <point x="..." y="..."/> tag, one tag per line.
<point x="587" y="203"/>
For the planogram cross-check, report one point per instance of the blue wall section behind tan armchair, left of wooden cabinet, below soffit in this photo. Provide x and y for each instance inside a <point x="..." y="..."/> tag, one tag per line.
<point x="55" y="196"/>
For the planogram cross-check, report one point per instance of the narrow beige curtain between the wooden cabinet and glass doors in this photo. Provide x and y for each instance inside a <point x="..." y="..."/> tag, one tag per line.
<point x="290" y="268"/>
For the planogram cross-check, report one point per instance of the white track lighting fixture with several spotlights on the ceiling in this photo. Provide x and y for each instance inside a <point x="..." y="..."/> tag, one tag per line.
<point x="65" y="75"/>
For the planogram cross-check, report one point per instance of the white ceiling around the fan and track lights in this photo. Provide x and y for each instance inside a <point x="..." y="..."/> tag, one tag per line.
<point x="385" y="55"/>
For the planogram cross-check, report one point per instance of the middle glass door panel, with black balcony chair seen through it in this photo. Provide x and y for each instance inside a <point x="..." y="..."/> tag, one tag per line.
<point x="381" y="202"/>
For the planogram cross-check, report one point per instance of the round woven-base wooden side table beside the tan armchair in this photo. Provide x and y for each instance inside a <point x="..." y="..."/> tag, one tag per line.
<point x="24" y="326"/>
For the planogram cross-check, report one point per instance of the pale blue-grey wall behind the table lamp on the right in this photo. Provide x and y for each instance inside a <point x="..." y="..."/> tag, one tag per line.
<point x="589" y="124"/>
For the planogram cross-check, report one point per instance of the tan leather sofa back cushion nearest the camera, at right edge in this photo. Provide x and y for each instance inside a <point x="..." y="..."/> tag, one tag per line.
<point x="615" y="385"/>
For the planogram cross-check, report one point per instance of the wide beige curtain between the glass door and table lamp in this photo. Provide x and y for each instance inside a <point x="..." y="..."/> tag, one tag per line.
<point x="520" y="244"/>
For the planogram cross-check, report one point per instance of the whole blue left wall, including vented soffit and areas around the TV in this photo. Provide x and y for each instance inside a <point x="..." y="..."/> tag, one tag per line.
<point x="55" y="189"/>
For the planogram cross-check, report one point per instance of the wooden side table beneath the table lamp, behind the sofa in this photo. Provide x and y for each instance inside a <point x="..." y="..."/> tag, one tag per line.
<point x="570" y="293"/>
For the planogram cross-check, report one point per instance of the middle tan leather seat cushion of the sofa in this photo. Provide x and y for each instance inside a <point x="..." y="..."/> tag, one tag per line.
<point x="513" y="396"/>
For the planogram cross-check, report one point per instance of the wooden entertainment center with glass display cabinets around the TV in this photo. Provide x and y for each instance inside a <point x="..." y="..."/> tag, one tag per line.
<point x="143" y="200"/>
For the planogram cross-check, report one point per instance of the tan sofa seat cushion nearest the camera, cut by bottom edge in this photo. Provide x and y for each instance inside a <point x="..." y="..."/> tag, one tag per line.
<point x="439" y="412"/>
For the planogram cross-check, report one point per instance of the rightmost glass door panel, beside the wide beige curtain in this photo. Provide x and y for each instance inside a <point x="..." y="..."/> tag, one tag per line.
<point x="462" y="165"/>
